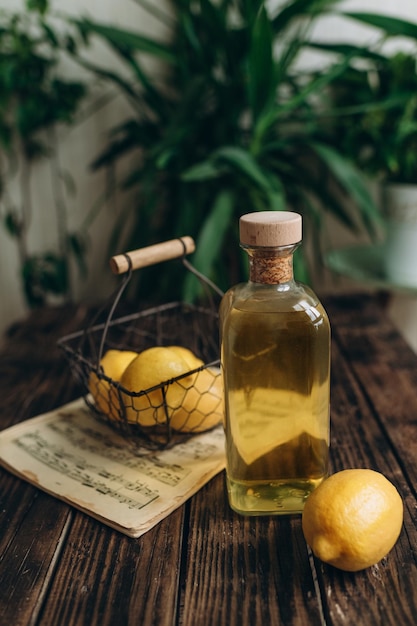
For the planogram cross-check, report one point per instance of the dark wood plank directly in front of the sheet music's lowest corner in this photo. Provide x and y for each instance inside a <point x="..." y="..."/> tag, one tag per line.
<point x="107" y="579"/>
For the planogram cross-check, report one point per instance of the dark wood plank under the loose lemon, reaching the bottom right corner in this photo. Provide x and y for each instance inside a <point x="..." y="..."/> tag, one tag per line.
<point x="370" y="596"/>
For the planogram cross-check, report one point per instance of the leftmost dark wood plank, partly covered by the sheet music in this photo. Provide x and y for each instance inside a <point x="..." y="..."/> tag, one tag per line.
<point x="33" y="378"/>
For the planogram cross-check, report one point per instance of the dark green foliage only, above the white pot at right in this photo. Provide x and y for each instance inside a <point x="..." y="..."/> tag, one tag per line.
<point x="382" y="142"/>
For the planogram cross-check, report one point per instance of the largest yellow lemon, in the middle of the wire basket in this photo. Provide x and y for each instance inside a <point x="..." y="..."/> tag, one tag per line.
<point x="149" y="369"/>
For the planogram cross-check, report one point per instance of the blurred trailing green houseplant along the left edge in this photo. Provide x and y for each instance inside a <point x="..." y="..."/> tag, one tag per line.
<point x="34" y="100"/>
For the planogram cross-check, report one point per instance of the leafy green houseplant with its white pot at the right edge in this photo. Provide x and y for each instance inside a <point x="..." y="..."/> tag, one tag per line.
<point x="382" y="140"/>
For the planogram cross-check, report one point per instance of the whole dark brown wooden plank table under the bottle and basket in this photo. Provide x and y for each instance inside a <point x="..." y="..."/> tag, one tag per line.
<point x="205" y="565"/>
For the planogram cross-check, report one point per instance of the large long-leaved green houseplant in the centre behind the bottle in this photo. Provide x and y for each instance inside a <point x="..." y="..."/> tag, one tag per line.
<point x="228" y="124"/>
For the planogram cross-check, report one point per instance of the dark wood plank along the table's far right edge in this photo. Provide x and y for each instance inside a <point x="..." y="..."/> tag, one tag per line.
<point x="385" y="369"/>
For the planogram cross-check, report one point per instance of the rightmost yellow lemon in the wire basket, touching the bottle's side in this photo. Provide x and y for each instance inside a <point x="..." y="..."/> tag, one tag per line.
<point x="198" y="405"/>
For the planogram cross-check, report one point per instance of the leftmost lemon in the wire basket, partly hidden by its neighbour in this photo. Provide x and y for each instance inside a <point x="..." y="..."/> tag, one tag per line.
<point x="113" y="364"/>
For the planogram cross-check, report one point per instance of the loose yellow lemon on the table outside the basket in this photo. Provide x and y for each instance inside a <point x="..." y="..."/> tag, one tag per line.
<point x="353" y="519"/>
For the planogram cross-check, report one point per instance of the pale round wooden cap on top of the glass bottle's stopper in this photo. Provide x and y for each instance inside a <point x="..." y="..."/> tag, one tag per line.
<point x="270" y="228"/>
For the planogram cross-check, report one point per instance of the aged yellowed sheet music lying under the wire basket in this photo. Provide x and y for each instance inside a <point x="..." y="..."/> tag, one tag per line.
<point x="77" y="458"/>
